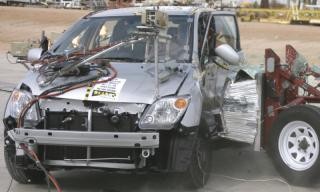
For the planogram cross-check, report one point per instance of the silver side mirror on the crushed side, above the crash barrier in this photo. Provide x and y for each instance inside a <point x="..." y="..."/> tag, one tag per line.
<point x="228" y="54"/>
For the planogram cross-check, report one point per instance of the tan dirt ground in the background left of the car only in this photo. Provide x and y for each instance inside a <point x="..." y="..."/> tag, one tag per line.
<point x="23" y="23"/>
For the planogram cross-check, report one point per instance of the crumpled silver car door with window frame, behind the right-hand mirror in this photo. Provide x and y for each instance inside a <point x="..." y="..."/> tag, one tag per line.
<point x="219" y="29"/>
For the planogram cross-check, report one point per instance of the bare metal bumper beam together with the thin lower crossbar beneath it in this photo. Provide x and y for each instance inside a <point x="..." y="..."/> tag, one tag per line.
<point x="147" y="142"/>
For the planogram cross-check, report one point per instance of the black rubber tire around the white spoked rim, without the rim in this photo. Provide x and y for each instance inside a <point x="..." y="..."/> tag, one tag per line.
<point x="304" y="113"/>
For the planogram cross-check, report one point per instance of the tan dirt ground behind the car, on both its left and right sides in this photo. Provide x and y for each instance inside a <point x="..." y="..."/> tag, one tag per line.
<point x="18" y="24"/>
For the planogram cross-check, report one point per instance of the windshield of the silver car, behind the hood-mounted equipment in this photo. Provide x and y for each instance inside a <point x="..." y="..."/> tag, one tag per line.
<point x="91" y="33"/>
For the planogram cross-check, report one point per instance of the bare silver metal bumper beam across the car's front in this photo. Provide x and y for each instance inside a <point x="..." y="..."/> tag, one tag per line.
<point x="82" y="138"/>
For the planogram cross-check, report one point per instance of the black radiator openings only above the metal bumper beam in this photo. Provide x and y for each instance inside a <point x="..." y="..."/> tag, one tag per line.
<point x="78" y="121"/>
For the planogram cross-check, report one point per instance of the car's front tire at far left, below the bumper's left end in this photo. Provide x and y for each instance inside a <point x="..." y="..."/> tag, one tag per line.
<point x="23" y="176"/>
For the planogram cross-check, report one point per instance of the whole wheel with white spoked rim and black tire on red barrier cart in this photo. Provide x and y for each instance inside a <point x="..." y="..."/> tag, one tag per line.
<point x="294" y="144"/>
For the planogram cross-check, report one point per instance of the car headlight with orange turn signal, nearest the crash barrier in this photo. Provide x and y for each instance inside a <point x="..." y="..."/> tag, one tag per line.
<point x="164" y="113"/>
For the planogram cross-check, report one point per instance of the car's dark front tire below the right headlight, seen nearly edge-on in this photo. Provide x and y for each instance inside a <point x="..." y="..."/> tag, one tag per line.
<point x="200" y="166"/>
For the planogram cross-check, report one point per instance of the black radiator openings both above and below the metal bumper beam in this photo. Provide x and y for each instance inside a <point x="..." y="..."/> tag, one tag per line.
<point x="78" y="121"/>
